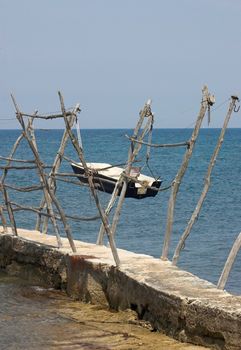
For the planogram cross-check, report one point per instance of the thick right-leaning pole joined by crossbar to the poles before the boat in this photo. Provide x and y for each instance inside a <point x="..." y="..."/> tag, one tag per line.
<point x="181" y="172"/>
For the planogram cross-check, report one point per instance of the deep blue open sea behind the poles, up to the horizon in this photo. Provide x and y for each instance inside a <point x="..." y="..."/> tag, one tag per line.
<point x="142" y="224"/>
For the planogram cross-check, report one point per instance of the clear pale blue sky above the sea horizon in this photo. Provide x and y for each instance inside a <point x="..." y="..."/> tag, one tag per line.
<point x="112" y="56"/>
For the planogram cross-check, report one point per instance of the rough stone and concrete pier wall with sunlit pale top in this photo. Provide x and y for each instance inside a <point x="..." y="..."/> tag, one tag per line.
<point x="172" y="300"/>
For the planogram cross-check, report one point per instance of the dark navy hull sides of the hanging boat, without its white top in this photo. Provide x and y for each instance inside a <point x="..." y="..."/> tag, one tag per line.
<point x="106" y="184"/>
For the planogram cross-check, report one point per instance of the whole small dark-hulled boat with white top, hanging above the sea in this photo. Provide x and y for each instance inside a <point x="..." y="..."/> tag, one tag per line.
<point x="105" y="177"/>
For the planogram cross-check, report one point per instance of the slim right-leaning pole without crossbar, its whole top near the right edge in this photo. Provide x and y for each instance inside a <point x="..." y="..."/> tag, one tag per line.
<point x="206" y="184"/>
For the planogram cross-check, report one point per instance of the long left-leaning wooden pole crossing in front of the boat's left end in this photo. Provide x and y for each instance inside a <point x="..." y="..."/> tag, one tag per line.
<point x="91" y="183"/>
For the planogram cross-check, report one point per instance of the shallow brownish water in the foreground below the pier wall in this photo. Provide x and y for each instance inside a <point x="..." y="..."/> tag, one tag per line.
<point x="32" y="317"/>
